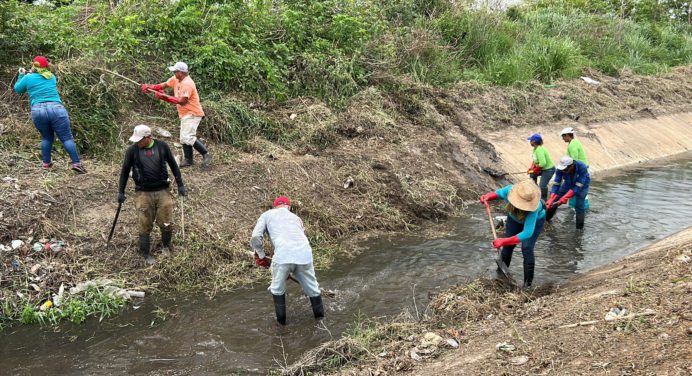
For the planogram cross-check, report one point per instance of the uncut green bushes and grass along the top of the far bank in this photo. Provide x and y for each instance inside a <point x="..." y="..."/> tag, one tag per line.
<point x="270" y="51"/>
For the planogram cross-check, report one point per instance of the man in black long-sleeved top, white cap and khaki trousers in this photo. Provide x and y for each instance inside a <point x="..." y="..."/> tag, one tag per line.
<point x="147" y="159"/>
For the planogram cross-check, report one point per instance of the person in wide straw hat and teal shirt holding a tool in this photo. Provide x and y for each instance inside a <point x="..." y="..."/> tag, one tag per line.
<point x="525" y="220"/>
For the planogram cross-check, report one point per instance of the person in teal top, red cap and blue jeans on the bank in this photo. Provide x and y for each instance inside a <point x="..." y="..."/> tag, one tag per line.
<point x="47" y="111"/>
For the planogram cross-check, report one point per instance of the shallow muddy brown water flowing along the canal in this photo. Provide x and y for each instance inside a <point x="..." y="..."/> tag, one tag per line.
<point x="236" y="332"/>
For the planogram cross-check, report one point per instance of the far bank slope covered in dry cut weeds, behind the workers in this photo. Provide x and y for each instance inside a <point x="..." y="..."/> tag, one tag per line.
<point x="387" y="162"/>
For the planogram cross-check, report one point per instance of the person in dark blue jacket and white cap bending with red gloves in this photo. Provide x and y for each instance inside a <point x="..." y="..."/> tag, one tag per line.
<point x="572" y="179"/>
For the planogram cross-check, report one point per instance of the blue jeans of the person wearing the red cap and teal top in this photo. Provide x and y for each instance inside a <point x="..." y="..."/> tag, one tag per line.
<point x="50" y="118"/>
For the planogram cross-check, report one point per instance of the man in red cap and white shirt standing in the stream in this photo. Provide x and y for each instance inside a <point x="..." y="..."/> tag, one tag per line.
<point x="292" y="255"/>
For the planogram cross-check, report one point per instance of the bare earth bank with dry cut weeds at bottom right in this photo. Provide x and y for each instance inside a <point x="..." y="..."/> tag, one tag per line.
<point x="481" y="328"/>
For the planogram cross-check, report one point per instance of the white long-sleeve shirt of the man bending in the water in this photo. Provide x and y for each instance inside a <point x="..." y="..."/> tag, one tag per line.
<point x="287" y="235"/>
